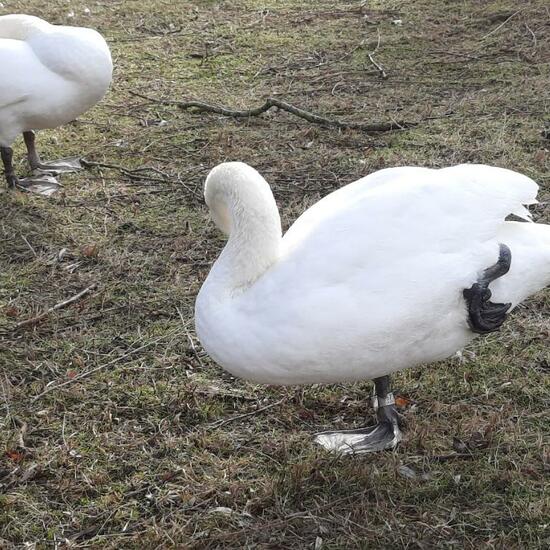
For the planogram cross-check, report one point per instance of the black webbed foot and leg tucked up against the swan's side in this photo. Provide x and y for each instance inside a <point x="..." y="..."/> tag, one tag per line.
<point x="485" y="316"/>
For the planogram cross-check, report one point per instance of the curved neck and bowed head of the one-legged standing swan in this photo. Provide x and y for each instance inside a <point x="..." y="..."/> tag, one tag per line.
<point x="242" y="205"/>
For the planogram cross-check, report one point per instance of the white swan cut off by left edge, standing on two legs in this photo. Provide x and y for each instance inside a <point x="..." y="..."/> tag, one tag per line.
<point x="50" y="75"/>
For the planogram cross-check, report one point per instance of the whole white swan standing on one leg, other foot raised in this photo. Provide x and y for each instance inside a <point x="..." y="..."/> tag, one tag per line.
<point x="386" y="273"/>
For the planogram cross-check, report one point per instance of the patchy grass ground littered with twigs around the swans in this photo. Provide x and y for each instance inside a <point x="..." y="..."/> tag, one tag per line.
<point x="117" y="431"/>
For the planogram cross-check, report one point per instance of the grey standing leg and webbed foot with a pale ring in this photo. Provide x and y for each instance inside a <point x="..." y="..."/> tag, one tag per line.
<point x="385" y="435"/>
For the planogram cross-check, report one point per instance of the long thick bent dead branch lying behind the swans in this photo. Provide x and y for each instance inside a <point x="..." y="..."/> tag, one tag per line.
<point x="270" y="102"/>
